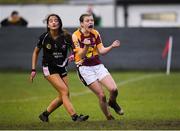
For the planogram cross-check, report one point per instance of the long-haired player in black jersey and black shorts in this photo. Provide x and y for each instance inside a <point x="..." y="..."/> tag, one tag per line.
<point x="55" y="44"/>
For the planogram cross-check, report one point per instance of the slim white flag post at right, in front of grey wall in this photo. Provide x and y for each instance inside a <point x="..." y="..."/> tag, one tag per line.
<point x="169" y="55"/>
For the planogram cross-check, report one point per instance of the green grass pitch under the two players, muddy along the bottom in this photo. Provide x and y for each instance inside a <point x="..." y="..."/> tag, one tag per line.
<point x="151" y="100"/>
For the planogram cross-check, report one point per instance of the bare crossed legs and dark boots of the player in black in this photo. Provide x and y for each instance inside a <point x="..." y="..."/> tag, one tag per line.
<point x="61" y="85"/>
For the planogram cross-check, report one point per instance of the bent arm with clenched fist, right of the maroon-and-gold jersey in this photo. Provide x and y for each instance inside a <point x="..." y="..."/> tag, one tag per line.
<point x="104" y="50"/>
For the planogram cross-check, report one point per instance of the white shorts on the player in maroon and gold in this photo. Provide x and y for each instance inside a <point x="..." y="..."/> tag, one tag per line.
<point x="89" y="74"/>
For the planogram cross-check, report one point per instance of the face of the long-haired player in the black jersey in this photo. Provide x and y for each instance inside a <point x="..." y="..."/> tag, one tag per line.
<point x="53" y="23"/>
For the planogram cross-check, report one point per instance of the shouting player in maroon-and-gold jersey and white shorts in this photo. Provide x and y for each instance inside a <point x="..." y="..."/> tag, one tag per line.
<point x="87" y="47"/>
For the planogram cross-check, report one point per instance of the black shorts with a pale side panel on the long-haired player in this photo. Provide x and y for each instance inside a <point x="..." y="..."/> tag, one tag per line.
<point x="49" y="70"/>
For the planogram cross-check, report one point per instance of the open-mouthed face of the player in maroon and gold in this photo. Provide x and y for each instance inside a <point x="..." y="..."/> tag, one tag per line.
<point x="88" y="23"/>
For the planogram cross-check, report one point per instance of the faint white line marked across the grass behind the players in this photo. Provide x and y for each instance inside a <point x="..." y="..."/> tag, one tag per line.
<point x="86" y="91"/>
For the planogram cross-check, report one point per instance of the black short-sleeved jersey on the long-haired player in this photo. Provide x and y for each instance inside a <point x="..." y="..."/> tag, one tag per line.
<point x="55" y="51"/>
